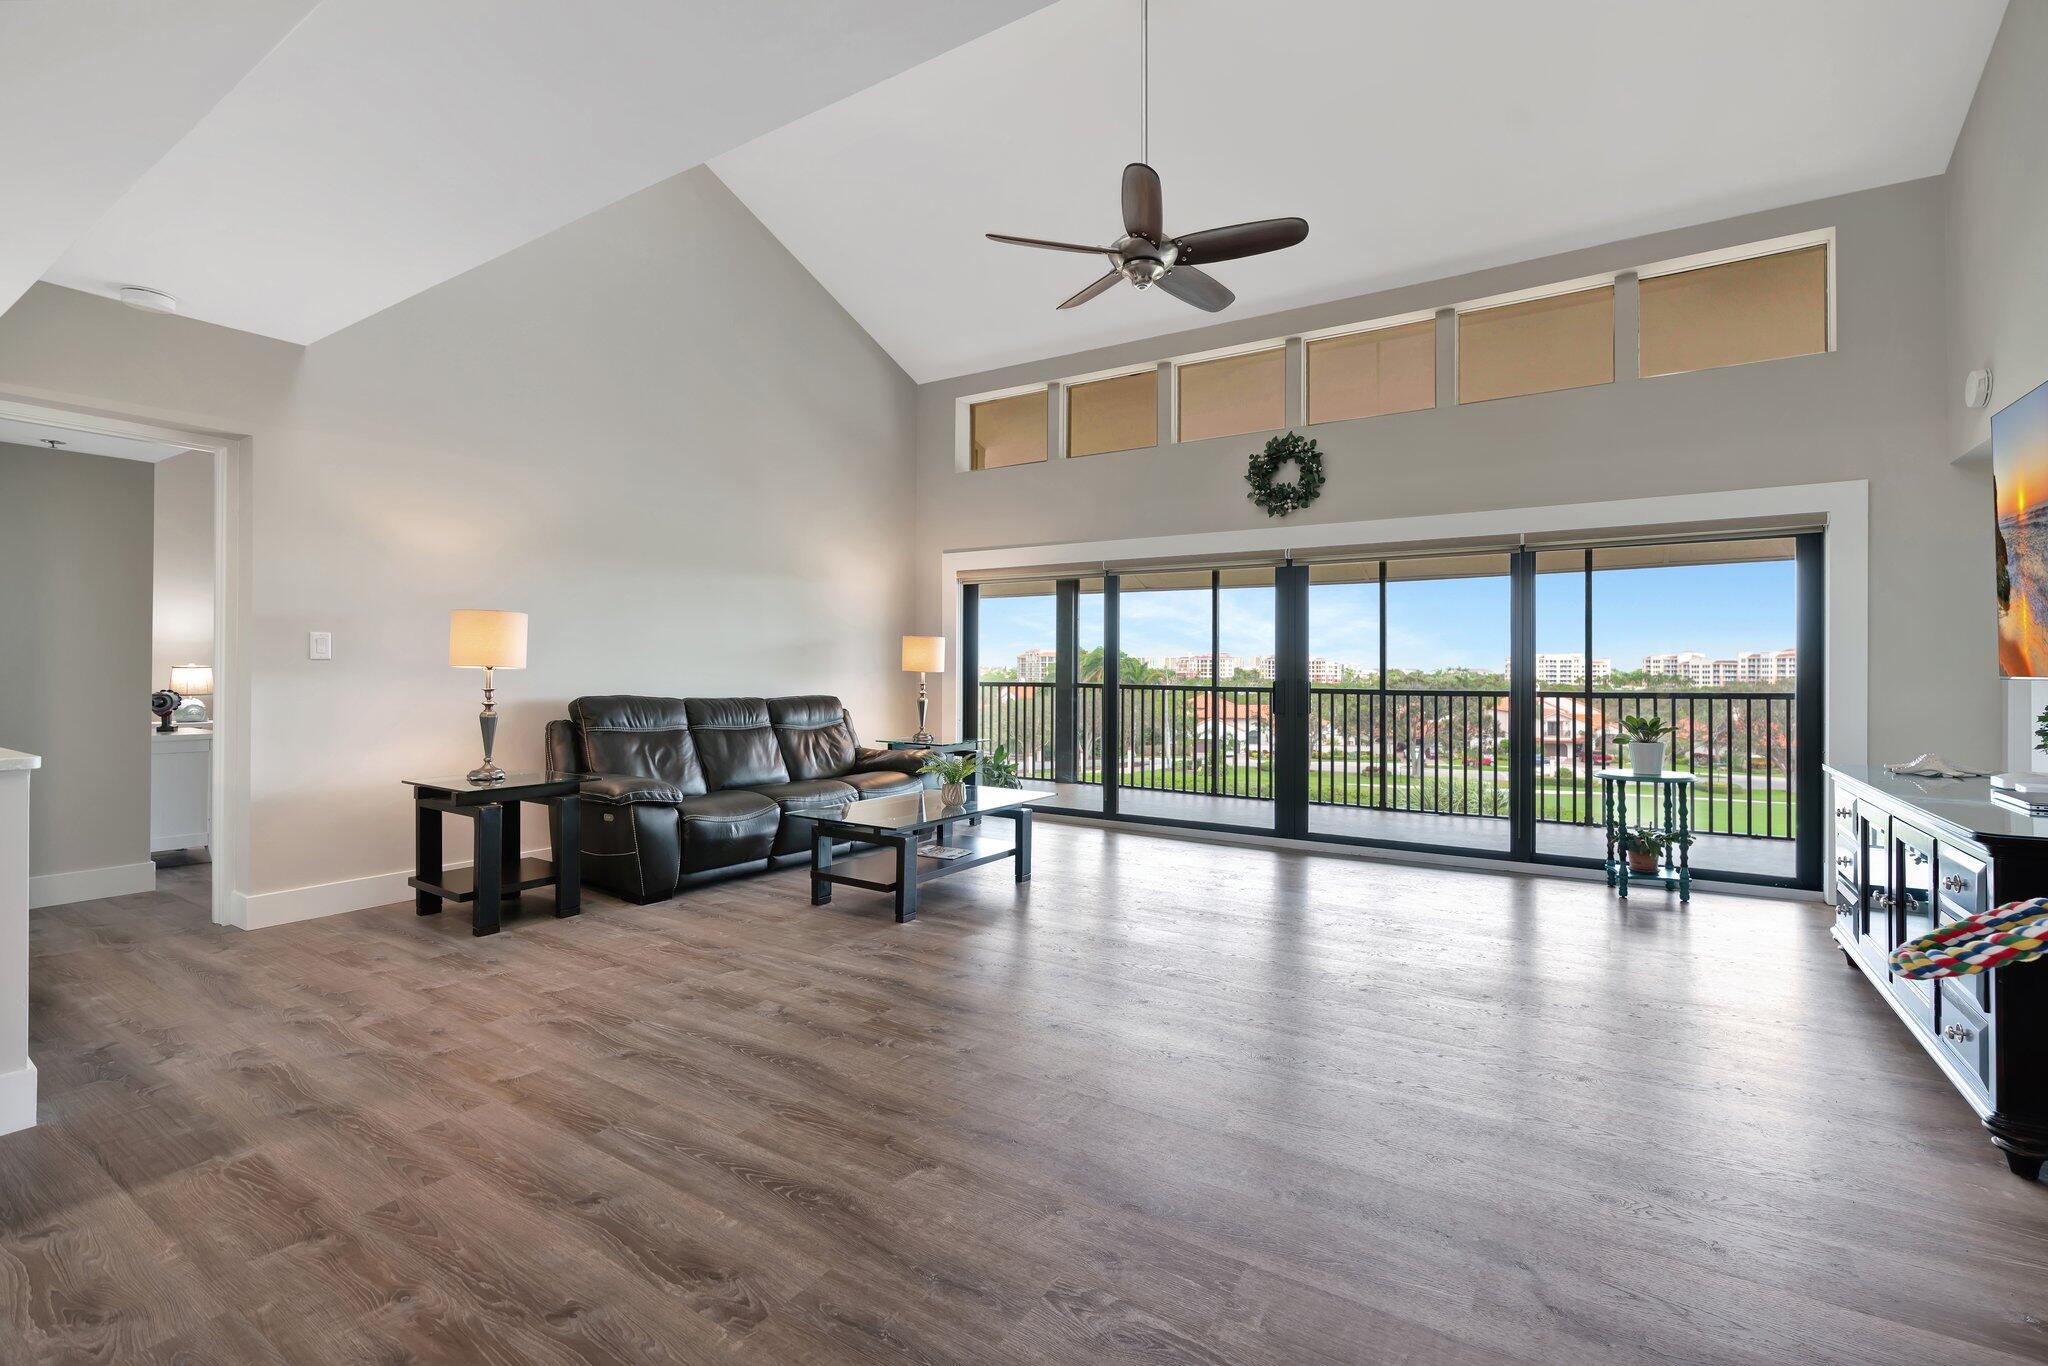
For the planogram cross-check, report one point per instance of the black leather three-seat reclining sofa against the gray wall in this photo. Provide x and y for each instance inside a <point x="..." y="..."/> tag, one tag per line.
<point x="695" y="789"/>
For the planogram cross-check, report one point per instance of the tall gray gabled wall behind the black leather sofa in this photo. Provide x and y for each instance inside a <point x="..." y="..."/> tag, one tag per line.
<point x="652" y="431"/>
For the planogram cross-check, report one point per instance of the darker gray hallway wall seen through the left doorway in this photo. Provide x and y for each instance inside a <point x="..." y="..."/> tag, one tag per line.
<point x="75" y="652"/>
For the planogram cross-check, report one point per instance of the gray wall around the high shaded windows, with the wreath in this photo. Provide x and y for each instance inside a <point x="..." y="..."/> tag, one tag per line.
<point x="1869" y="411"/>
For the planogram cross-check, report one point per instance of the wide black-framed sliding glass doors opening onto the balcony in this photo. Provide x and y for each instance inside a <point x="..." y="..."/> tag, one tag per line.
<point x="1457" y="703"/>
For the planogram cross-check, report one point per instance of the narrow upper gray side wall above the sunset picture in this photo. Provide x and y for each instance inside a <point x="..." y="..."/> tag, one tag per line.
<point x="1998" y="230"/>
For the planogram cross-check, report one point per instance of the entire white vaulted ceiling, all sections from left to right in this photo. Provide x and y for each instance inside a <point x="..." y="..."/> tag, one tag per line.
<point x="292" y="167"/>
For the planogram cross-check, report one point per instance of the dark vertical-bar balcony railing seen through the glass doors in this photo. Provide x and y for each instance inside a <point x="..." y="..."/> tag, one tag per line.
<point x="1422" y="751"/>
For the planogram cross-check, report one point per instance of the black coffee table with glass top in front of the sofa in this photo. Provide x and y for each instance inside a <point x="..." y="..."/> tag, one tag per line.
<point x="898" y="828"/>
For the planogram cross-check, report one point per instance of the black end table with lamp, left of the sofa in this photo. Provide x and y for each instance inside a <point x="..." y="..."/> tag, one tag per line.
<point x="499" y="871"/>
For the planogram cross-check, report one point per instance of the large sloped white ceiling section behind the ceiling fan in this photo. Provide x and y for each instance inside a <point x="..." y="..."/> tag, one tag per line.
<point x="1418" y="140"/>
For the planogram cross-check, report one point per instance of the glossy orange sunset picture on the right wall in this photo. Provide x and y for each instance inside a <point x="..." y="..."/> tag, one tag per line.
<point x="2020" y="497"/>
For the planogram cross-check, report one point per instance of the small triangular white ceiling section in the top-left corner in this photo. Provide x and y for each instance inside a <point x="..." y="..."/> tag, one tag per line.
<point x="93" y="93"/>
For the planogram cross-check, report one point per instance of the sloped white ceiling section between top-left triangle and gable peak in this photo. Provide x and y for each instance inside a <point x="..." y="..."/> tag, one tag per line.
<point x="390" y="144"/>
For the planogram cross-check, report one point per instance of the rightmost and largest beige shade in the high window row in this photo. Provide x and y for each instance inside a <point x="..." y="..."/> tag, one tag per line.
<point x="1748" y="310"/>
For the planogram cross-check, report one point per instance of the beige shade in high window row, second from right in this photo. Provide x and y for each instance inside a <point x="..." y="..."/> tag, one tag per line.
<point x="1537" y="347"/>
